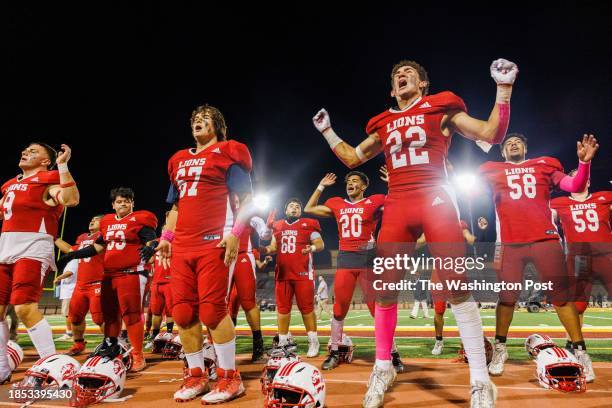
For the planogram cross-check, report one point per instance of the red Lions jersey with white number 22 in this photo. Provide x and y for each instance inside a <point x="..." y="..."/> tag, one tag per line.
<point x="415" y="148"/>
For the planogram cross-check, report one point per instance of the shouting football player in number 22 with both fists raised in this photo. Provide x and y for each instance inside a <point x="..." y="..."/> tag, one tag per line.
<point x="414" y="137"/>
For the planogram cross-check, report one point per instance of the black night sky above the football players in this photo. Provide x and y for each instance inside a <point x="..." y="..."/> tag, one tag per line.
<point x="119" y="86"/>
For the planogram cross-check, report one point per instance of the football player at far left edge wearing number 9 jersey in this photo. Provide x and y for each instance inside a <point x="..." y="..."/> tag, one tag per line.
<point x="31" y="204"/>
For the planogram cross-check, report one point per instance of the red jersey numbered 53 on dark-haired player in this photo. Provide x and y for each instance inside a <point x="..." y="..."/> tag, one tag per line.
<point x="122" y="240"/>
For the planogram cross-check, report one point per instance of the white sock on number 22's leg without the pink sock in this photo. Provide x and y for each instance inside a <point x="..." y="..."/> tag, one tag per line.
<point x="468" y="320"/>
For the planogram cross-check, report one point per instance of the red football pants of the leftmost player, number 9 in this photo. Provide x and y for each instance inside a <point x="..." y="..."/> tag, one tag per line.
<point x="22" y="282"/>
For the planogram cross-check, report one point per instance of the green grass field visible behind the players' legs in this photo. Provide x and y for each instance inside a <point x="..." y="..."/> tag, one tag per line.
<point x="599" y="349"/>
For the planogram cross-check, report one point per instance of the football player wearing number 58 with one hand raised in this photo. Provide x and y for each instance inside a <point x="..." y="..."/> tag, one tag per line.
<point x="521" y="192"/>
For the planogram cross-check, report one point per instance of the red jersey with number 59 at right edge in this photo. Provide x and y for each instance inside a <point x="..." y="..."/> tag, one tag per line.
<point x="585" y="221"/>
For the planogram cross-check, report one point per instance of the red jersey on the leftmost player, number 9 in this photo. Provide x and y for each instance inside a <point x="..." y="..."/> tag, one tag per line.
<point x="23" y="207"/>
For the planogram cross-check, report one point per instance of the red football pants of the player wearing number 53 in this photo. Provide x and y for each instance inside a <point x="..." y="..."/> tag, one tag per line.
<point x="122" y="297"/>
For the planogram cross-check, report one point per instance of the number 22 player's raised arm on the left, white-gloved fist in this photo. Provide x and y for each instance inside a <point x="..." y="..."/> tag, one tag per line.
<point x="349" y="155"/>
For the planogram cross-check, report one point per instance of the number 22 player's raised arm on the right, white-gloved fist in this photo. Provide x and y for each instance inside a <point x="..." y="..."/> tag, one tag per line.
<point x="494" y="128"/>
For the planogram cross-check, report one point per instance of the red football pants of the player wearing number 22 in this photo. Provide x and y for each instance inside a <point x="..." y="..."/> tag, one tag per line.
<point x="407" y="215"/>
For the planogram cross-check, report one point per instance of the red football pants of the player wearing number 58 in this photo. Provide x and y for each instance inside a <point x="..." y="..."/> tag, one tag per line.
<point x="548" y="259"/>
